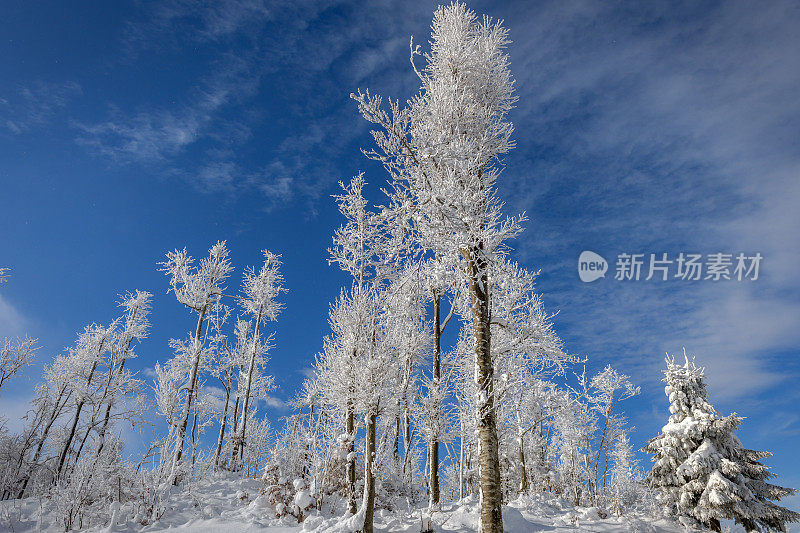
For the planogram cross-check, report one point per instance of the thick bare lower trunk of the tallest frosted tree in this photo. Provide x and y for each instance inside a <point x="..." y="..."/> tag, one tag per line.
<point x="488" y="453"/>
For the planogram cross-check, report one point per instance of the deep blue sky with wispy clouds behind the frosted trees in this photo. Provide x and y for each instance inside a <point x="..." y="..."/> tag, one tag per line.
<point x="130" y="129"/>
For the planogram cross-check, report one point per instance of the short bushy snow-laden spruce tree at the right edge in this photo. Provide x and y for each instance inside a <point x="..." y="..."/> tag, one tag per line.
<point x="701" y="470"/>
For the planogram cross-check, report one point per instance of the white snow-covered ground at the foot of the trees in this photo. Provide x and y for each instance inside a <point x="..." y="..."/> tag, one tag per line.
<point x="227" y="505"/>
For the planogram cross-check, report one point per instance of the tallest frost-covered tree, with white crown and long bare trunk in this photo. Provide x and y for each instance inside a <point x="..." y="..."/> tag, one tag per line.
<point x="443" y="152"/>
